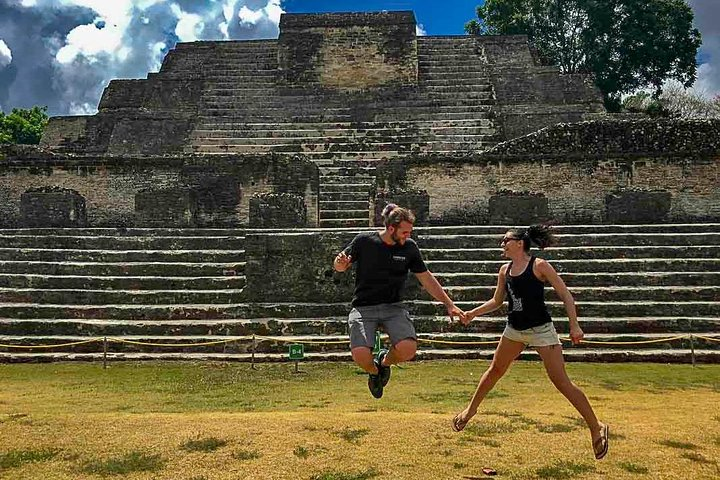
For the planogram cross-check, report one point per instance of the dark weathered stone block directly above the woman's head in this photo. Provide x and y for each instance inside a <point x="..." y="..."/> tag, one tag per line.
<point x="517" y="208"/>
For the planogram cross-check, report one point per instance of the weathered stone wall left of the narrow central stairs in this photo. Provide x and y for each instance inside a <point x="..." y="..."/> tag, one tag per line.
<point x="215" y="191"/>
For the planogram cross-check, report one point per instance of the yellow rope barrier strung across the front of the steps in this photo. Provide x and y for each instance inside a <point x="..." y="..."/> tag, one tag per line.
<point x="339" y="342"/>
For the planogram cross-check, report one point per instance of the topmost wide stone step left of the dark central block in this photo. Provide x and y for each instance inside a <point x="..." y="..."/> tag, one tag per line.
<point x="123" y="243"/>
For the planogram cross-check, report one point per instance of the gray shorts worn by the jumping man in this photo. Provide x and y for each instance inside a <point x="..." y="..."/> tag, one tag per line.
<point x="395" y="320"/>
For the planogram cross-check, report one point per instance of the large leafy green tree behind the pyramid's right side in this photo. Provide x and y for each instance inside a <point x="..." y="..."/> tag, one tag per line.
<point x="626" y="44"/>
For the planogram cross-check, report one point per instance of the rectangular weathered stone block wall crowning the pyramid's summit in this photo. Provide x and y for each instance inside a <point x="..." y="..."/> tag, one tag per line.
<point x="350" y="51"/>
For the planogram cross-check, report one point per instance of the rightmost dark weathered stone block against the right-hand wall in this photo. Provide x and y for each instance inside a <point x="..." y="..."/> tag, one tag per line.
<point x="637" y="206"/>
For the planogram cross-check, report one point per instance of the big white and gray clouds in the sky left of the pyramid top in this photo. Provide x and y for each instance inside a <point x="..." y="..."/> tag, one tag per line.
<point x="66" y="51"/>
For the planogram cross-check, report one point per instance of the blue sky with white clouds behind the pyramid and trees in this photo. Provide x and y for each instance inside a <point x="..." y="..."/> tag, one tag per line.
<point x="63" y="53"/>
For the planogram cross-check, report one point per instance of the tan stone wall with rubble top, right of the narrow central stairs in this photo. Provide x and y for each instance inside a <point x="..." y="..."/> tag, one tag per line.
<point x="587" y="173"/>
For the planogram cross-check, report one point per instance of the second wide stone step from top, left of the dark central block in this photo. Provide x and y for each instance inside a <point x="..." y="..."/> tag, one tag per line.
<point x="70" y="255"/>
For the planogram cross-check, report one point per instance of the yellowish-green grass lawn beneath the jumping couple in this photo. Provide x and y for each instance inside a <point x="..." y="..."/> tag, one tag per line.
<point x="192" y="421"/>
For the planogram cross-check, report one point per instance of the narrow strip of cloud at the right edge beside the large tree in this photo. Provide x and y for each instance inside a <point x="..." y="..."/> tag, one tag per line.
<point x="707" y="20"/>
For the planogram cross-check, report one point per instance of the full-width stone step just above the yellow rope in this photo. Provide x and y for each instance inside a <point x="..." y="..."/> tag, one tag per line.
<point x="662" y="326"/>
